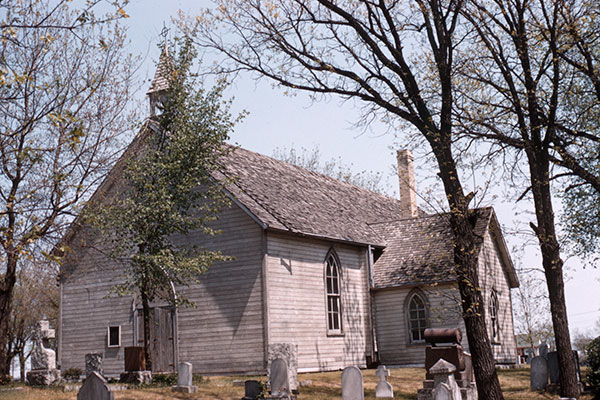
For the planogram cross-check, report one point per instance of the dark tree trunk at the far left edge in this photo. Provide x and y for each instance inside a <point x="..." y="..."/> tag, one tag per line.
<point x="6" y="291"/>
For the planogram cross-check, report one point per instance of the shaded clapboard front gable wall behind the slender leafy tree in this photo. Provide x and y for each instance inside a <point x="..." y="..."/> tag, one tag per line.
<point x="223" y="333"/>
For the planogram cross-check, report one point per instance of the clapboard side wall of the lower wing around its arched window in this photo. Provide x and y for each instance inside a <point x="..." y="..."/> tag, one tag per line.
<point x="393" y="341"/>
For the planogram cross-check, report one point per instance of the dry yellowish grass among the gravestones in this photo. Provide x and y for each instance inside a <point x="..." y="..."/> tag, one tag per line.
<point x="325" y="385"/>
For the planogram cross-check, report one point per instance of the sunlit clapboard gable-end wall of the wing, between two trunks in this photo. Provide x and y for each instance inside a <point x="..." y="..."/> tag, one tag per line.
<point x="492" y="276"/>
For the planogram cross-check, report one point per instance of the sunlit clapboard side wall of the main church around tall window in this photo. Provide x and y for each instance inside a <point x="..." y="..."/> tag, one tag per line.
<point x="297" y="305"/>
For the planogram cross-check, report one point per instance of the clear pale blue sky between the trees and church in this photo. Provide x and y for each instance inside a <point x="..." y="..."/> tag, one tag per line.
<point x="277" y="121"/>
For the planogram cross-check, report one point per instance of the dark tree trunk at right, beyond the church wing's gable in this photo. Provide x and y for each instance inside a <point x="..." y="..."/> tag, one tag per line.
<point x="553" y="269"/>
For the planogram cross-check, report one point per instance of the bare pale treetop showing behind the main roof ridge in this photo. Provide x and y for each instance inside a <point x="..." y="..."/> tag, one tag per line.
<point x="335" y="168"/>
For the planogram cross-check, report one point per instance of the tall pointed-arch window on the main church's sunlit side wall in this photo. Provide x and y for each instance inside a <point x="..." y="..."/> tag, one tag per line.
<point x="333" y="294"/>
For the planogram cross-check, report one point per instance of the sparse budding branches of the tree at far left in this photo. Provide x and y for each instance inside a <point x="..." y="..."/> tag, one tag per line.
<point x="64" y="89"/>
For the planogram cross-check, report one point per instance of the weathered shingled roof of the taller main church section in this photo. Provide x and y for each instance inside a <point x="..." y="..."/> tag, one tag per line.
<point x="289" y="198"/>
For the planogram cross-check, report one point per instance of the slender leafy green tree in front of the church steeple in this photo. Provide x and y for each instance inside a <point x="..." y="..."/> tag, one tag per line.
<point x="168" y="190"/>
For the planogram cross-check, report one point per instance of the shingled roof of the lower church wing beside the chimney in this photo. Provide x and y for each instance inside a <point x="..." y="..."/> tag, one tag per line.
<point x="420" y="250"/>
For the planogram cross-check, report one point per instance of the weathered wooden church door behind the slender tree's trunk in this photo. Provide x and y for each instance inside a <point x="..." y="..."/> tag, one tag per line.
<point x="161" y="338"/>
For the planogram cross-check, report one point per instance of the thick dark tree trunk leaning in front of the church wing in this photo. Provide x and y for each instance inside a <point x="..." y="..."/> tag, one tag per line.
<point x="466" y="259"/>
